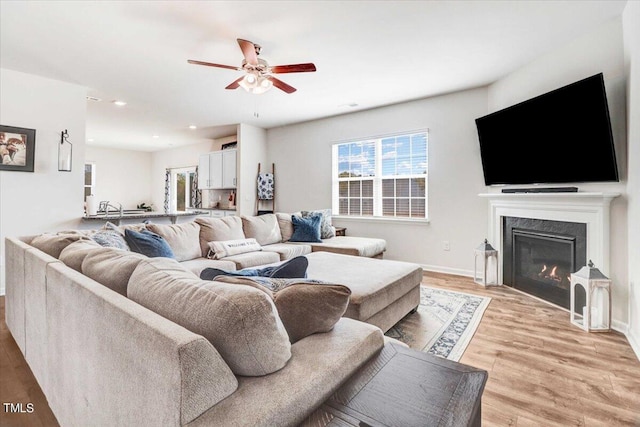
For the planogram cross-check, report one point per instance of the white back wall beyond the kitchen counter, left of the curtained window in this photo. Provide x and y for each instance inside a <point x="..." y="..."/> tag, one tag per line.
<point x="122" y="176"/>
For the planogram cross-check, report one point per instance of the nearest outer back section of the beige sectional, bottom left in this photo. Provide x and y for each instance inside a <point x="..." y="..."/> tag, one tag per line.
<point x="114" y="362"/>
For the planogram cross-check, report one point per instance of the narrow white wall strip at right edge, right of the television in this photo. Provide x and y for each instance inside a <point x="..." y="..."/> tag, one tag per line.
<point x="631" y="26"/>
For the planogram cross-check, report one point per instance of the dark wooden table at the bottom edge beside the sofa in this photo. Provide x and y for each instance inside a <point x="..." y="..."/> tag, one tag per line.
<point x="404" y="387"/>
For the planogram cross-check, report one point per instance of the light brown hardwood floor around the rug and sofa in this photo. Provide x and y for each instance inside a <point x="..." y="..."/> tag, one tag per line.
<point x="542" y="370"/>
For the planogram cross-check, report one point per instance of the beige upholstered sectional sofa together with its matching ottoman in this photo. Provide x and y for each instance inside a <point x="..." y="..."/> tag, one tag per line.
<point x="117" y="338"/>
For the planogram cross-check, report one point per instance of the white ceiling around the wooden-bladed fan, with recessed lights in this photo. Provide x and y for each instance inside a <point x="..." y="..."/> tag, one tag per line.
<point x="367" y="54"/>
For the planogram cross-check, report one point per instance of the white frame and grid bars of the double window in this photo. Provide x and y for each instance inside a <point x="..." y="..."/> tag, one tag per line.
<point x="378" y="179"/>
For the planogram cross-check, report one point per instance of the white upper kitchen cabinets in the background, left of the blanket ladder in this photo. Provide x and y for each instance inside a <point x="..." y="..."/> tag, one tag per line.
<point x="217" y="170"/>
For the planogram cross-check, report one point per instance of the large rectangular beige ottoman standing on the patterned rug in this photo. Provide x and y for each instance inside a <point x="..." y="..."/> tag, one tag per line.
<point x="382" y="291"/>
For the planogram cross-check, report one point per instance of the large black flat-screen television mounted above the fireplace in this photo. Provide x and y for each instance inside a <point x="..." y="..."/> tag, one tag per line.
<point x="563" y="136"/>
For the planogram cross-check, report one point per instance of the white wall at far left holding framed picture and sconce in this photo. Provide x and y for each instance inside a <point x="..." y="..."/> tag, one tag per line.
<point x="45" y="200"/>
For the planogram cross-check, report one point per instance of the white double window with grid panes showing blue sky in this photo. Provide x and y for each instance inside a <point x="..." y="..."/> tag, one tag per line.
<point x="381" y="177"/>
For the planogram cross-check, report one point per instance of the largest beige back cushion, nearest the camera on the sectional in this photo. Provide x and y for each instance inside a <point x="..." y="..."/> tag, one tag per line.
<point x="241" y="322"/>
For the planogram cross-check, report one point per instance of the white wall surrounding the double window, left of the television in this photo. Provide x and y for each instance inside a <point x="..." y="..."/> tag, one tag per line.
<point x="302" y="156"/>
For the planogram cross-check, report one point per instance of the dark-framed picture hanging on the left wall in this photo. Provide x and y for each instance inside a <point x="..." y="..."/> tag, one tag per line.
<point x="17" y="148"/>
